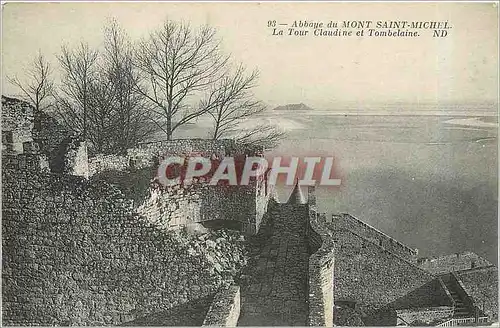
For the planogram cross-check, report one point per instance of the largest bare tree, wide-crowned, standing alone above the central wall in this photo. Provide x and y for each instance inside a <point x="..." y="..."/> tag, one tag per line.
<point x="176" y="64"/>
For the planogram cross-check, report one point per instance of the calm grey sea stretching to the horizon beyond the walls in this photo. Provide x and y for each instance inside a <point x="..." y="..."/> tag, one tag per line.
<point x="426" y="177"/>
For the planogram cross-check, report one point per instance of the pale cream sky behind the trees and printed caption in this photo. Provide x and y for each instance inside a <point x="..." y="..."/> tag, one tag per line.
<point x="319" y="71"/>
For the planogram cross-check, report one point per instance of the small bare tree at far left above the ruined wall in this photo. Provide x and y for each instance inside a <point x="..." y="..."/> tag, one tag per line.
<point x="38" y="86"/>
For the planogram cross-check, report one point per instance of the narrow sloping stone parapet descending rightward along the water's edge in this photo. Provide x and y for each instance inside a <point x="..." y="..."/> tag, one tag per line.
<point x="346" y="221"/>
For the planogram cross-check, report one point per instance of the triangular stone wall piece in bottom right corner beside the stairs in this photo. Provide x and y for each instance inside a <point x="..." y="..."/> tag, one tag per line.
<point x="481" y="285"/>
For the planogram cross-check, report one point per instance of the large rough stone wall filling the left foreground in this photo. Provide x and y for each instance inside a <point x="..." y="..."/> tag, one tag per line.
<point x="74" y="253"/>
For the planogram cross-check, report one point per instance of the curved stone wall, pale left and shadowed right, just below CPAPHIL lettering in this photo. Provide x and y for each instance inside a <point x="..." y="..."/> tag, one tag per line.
<point x="176" y="206"/>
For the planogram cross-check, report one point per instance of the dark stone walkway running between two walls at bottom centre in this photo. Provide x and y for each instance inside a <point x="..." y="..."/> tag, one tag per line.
<point x="276" y="291"/>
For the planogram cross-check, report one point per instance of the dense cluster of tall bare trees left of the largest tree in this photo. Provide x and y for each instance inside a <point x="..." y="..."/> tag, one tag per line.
<point x="98" y="96"/>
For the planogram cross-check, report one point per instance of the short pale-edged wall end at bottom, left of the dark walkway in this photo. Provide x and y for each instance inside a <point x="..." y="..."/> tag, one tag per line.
<point x="225" y="308"/>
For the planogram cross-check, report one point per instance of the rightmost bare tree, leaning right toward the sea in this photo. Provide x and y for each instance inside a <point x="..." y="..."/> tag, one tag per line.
<point x="234" y="104"/>
